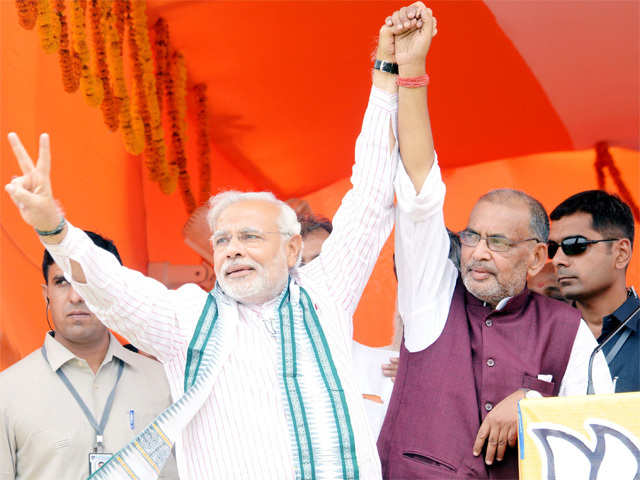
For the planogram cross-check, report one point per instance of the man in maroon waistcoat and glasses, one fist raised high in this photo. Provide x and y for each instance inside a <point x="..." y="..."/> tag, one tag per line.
<point x="477" y="342"/>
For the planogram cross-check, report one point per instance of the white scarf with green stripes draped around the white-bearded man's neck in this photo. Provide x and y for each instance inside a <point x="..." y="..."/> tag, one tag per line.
<point x="299" y="332"/>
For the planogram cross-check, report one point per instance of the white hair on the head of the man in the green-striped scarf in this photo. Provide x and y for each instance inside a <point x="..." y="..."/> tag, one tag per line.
<point x="287" y="220"/>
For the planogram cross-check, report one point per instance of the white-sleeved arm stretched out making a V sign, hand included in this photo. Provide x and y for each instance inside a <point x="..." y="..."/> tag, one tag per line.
<point x="140" y="308"/>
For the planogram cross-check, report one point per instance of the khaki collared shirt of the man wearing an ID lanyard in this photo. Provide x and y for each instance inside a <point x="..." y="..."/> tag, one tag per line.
<point x="44" y="434"/>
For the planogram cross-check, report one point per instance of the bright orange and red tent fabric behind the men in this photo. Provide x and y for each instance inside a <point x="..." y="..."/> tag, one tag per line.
<point x="287" y="84"/>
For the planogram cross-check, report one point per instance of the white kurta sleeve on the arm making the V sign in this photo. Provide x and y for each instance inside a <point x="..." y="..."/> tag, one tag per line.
<point x="152" y="317"/>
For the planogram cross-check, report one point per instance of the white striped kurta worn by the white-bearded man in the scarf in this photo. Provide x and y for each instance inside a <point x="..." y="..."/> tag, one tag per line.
<point x="241" y="430"/>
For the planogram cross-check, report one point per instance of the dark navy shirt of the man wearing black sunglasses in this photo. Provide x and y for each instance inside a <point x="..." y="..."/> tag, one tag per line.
<point x="626" y="363"/>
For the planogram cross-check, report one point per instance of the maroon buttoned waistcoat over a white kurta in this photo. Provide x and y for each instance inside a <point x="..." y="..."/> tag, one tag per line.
<point x="442" y="393"/>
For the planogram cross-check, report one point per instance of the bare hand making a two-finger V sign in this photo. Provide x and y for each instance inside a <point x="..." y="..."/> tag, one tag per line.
<point x="32" y="191"/>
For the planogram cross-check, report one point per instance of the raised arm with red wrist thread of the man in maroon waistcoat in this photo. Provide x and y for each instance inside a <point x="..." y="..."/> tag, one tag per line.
<point x="426" y="278"/>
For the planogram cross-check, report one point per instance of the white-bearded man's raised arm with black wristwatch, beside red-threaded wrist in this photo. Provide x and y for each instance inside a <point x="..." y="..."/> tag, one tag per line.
<point x="365" y="218"/>
